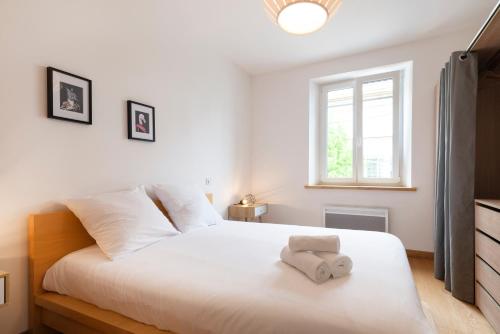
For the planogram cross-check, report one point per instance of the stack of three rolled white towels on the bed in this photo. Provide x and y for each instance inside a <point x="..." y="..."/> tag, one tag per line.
<point x="318" y="257"/>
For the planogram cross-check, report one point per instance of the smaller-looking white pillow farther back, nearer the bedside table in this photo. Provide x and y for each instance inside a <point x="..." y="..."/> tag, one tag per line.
<point x="187" y="206"/>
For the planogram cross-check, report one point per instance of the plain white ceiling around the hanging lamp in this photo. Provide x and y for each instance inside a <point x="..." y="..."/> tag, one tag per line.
<point x="242" y="30"/>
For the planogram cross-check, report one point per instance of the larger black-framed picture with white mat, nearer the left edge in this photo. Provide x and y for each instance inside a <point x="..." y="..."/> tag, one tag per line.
<point x="69" y="96"/>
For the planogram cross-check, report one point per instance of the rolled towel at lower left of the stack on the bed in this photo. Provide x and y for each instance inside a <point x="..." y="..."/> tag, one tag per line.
<point x="311" y="265"/>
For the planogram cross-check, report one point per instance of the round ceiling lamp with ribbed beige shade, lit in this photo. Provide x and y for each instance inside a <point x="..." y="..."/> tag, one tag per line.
<point x="301" y="17"/>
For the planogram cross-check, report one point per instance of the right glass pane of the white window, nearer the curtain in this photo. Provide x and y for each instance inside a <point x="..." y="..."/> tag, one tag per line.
<point x="378" y="129"/>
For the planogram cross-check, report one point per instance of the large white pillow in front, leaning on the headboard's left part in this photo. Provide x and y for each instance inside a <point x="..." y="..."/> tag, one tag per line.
<point x="122" y="222"/>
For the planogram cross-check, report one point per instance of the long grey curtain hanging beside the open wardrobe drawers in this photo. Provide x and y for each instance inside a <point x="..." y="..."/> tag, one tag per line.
<point x="454" y="206"/>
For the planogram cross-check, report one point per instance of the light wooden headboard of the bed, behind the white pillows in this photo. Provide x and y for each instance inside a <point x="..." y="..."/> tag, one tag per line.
<point x="51" y="237"/>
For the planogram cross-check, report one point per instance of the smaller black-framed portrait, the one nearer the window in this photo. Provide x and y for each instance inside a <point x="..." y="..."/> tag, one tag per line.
<point x="141" y="121"/>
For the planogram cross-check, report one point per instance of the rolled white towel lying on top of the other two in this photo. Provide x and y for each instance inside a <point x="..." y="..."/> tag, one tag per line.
<point x="320" y="243"/>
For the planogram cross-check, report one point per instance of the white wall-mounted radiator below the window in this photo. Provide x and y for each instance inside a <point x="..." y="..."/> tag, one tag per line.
<point x="353" y="218"/>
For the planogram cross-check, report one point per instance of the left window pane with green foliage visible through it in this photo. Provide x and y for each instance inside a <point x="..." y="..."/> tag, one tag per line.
<point x="339" y="135"/>
